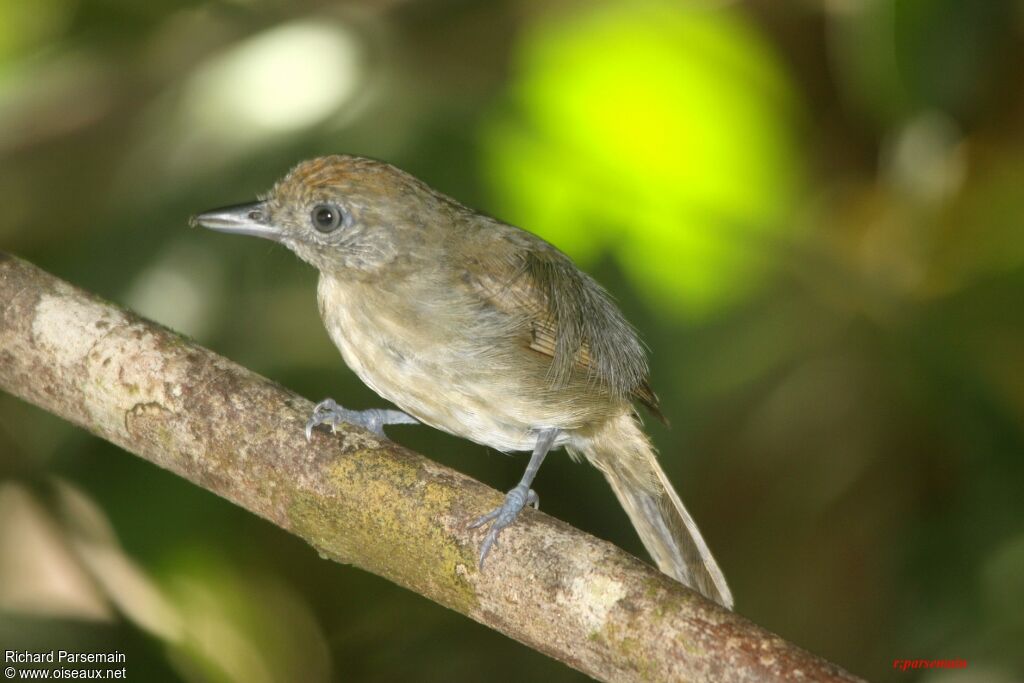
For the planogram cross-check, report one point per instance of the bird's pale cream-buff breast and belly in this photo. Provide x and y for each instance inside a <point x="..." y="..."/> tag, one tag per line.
<point x="435" y="369"/>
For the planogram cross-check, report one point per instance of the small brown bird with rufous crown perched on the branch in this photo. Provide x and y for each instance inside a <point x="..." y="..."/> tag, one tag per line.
<point x="480" y="329"/>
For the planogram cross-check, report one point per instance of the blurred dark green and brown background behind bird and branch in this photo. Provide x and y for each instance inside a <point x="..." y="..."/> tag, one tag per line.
<point x="812" y="210"/>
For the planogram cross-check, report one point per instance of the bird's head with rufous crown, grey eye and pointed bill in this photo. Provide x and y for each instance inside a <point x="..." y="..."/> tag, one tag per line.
<point x="346" y="216"/>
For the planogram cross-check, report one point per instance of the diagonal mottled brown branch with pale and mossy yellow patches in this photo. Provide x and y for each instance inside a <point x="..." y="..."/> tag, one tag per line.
<point x="365" y="501"/>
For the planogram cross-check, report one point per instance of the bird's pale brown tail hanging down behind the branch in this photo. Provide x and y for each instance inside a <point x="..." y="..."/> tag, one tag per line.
<point x="623" y="453"/>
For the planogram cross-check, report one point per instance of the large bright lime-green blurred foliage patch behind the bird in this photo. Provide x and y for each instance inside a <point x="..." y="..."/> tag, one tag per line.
<point x="660" y="134"/>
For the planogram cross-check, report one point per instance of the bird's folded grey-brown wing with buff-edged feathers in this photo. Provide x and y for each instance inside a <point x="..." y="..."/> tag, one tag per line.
<point x="565" y="314"/>
